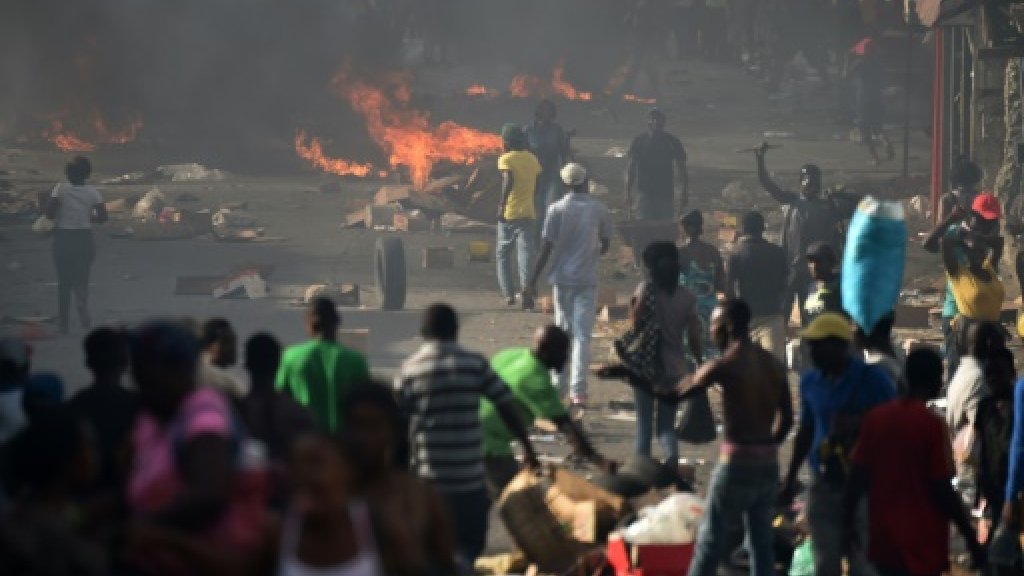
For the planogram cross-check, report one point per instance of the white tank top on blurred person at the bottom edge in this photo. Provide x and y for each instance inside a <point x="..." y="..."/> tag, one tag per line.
<point x="366" y="562"/>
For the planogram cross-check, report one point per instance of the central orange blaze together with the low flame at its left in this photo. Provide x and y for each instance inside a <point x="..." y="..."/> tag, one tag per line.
<point x="404" y="133"/>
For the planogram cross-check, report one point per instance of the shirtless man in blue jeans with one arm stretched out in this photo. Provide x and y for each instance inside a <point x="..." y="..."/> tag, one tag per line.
<point x="758" y="418"/>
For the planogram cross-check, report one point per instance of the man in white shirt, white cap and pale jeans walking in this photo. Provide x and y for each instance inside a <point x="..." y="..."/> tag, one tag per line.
<point x="577" y="232"/>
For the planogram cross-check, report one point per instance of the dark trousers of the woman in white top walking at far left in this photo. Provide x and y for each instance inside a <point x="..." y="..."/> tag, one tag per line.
<point x="74" y="253"/>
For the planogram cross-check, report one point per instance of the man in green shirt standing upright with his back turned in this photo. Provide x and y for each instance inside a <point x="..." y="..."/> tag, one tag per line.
<point x="320" y="374"/>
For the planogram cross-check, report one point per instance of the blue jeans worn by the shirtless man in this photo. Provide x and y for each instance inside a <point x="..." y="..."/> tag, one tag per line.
<point x="739" y="491"/>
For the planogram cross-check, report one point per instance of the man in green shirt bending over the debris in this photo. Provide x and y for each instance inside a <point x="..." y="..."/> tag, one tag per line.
<point x="528" y="374"/>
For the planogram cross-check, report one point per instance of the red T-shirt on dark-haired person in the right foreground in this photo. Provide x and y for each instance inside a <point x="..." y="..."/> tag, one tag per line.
<point x="905" y="449"/>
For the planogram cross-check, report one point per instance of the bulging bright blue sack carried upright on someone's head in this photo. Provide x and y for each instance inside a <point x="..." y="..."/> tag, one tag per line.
<point x="873" y="262"/>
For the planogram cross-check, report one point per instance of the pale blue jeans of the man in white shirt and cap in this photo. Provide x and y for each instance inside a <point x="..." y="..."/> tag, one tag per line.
<point x="575" y="313"/>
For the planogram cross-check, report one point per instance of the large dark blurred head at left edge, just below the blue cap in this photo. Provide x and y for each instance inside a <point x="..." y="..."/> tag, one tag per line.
<point x="52" y="457"/>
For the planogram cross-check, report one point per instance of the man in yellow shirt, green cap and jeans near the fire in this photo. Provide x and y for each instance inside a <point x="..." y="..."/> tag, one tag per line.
<point x="517" y="214"/>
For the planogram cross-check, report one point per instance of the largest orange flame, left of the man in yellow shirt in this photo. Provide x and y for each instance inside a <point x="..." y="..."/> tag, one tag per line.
<point x="406" y="134"/>
